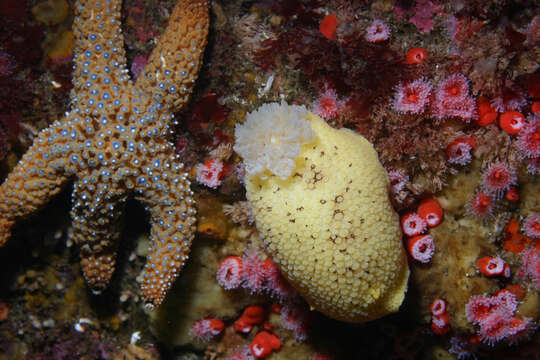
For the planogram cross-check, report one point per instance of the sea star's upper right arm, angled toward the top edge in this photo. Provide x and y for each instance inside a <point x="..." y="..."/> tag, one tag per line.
<point x="174" y="63"/>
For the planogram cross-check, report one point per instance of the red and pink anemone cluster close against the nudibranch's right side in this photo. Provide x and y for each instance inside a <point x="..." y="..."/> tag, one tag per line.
<point x="414" y="224"/>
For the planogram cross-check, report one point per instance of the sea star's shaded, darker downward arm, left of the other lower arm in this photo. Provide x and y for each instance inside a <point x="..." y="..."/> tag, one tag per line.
<point x="98" y="206"/>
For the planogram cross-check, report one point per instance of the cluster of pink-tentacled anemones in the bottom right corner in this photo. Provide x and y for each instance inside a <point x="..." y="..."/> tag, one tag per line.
<point x="495" y="316"/>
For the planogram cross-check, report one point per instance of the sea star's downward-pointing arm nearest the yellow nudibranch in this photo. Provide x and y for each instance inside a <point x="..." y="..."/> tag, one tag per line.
<point x="171" y="207"/>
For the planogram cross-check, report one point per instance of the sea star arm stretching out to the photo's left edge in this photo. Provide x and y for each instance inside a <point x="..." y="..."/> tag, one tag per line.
<point x="38" y="176"/>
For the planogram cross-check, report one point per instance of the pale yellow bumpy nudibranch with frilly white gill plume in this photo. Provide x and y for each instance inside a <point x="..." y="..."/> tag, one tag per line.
<point x="319" y="197"/>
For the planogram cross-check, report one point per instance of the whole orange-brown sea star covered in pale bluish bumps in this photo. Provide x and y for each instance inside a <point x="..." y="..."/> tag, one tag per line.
<point x="113" y="142"/>
